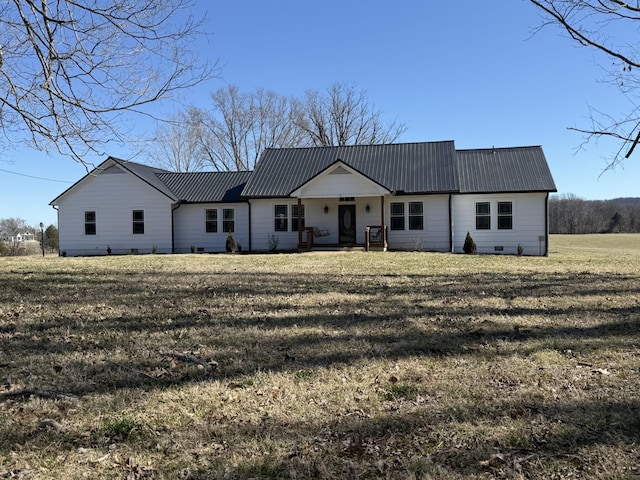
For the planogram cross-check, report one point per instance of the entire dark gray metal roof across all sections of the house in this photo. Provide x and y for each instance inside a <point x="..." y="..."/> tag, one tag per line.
<point x="407" y="168"/>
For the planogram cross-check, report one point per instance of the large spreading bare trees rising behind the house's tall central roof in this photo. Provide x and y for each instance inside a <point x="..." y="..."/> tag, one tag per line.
<point x="235" y="131"/>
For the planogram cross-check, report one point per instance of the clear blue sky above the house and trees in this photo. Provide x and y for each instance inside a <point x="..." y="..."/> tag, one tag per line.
<point x="467" y="71"/>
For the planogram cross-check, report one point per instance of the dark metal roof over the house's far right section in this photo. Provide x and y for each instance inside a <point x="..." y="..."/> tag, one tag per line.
<point x="520" y="169"/>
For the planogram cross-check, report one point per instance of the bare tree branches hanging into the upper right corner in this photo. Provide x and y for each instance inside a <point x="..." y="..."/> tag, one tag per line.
<point x="606" y="27"/>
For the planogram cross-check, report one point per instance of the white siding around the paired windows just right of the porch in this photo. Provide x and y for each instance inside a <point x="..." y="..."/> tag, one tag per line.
<point x="435" y="234"/>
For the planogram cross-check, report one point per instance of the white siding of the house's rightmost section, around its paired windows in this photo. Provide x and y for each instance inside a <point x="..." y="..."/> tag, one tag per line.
<point x="529" y="223"/>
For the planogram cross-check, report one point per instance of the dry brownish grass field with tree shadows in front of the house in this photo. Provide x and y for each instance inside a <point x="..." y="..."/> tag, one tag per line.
<point x="358" y="365"/>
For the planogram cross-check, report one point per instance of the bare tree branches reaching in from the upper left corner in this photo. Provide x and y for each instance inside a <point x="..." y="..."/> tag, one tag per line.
<point x="69" y="70"/>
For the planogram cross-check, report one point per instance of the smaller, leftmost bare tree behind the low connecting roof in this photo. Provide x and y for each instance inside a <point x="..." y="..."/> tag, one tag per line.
<point x="177" y="146"/>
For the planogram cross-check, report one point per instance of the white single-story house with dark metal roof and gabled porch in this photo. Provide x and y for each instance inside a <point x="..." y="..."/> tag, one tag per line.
<point x="410" y="196"/>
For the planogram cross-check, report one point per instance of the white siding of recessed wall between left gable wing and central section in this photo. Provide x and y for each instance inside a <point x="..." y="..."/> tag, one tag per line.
<point x="189" y="227"/>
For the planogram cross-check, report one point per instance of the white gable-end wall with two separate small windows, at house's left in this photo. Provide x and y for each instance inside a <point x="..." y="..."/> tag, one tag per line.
<point x="113" y="195"/>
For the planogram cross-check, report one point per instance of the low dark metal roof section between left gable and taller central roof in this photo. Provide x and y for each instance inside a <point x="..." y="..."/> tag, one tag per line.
<point x="203" y="187"/>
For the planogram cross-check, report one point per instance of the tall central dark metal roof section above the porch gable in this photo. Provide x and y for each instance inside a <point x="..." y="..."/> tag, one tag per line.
<point x="407" y="167"/>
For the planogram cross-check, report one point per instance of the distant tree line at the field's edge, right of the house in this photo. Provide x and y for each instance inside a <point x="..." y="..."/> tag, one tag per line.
<point x="569" y="214"/>
